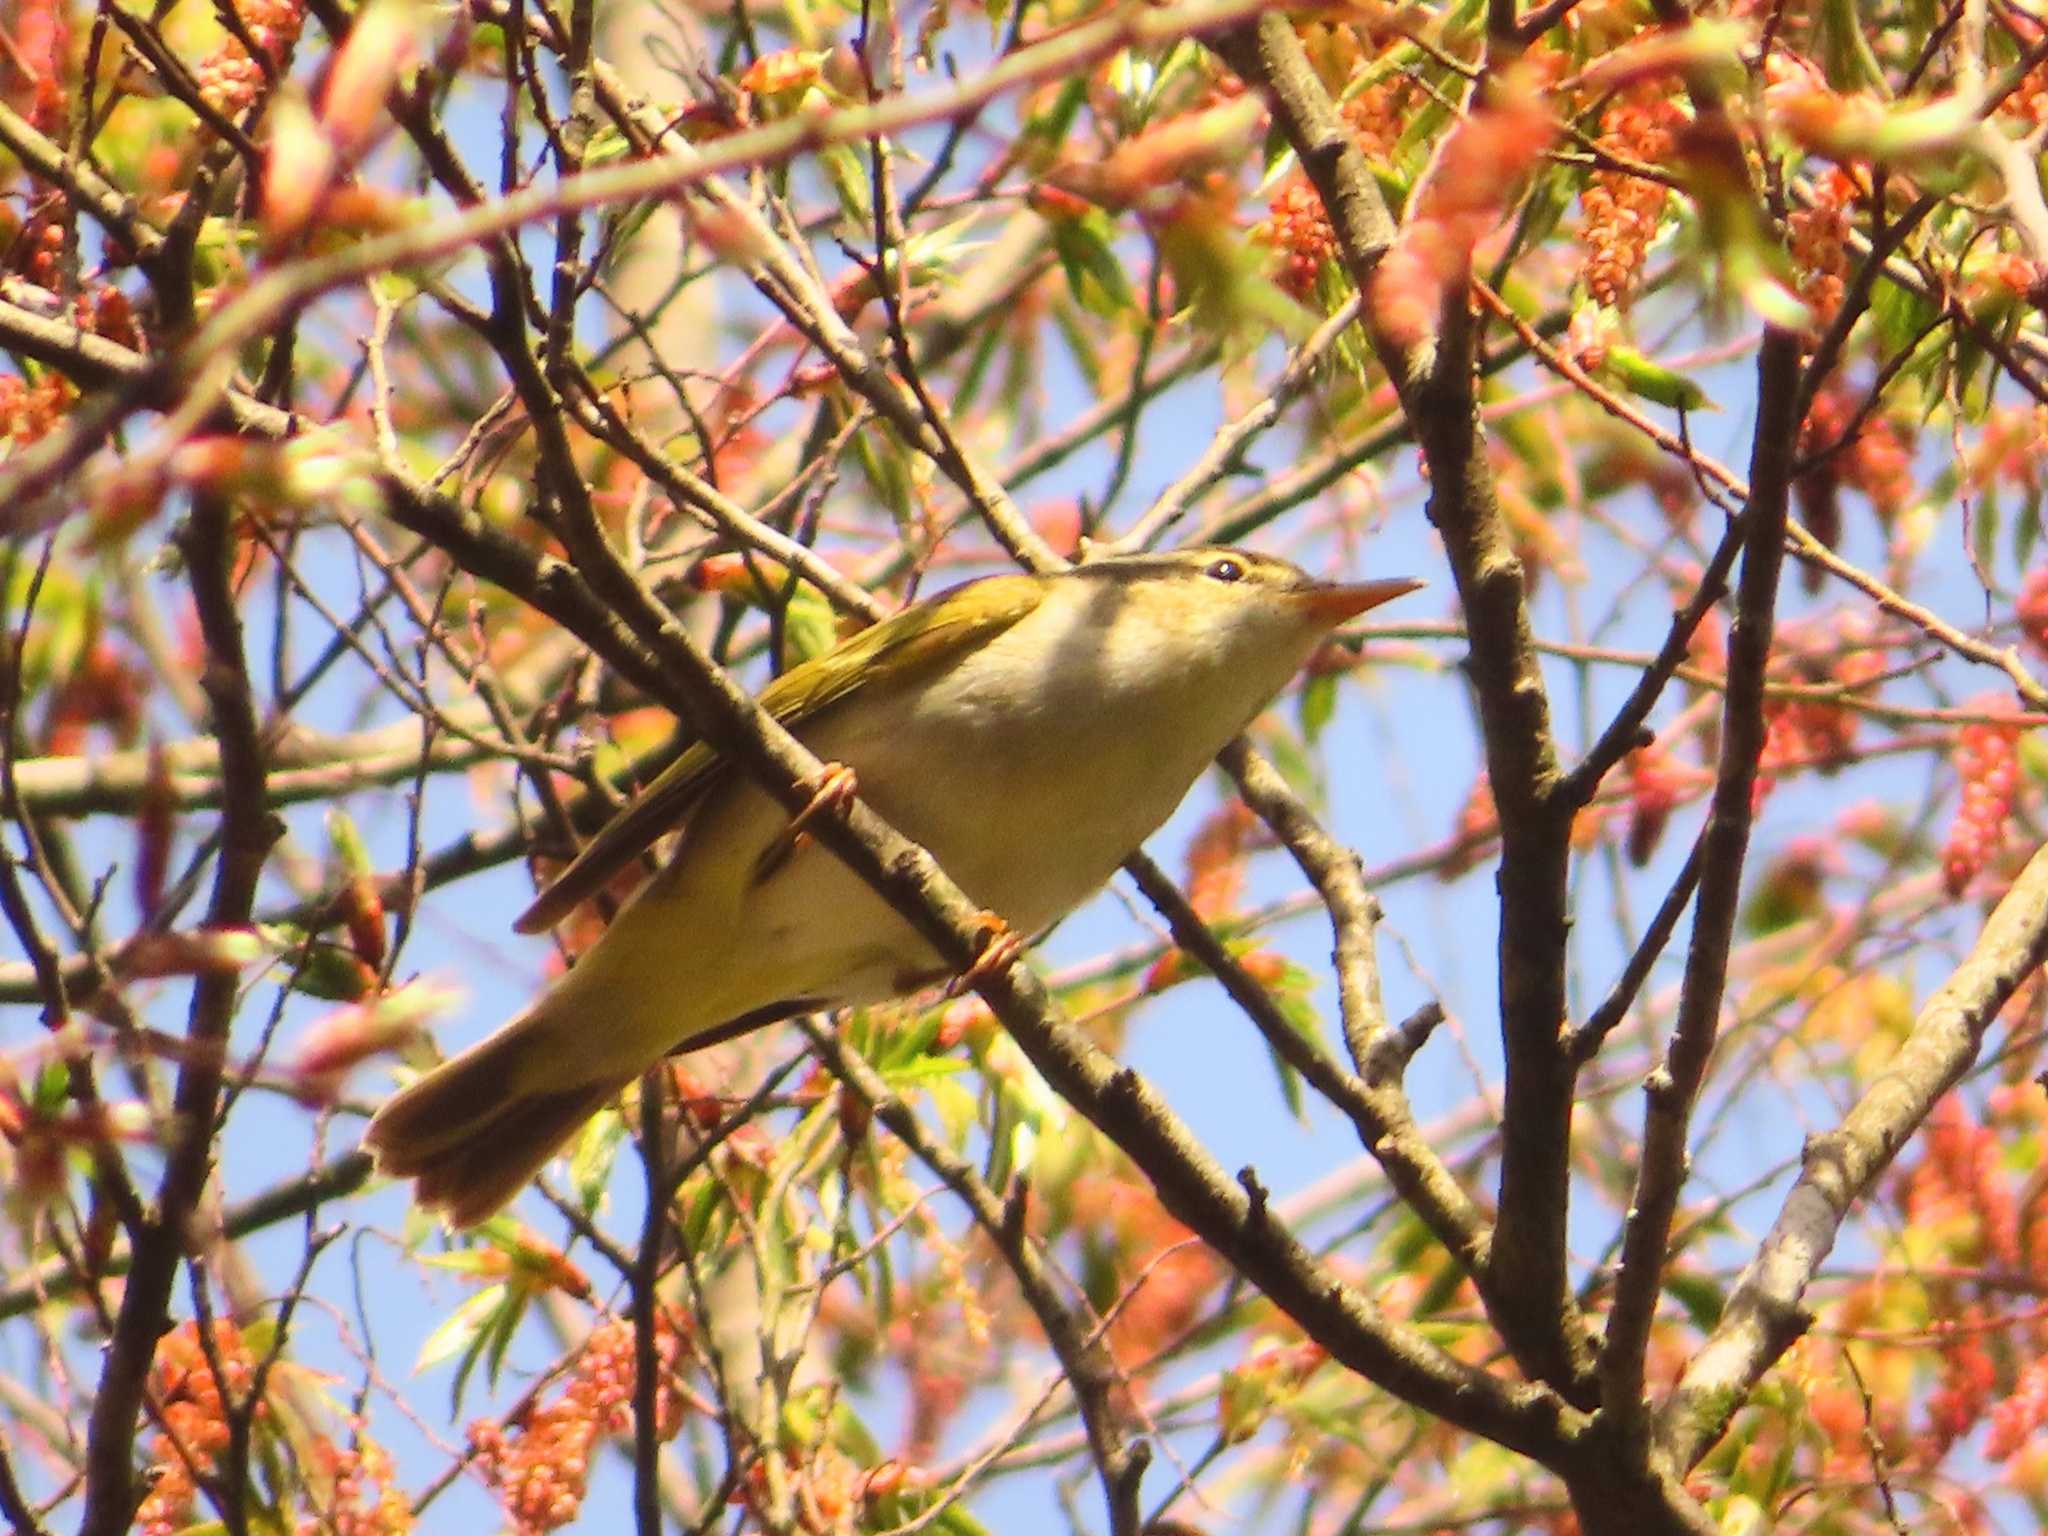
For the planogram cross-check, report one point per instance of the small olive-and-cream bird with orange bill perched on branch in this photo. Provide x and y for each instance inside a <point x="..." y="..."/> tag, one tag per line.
<point x="1029" y="730"/>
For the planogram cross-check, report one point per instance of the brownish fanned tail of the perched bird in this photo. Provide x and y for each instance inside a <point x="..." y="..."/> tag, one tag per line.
<point x="480" y="1125"/>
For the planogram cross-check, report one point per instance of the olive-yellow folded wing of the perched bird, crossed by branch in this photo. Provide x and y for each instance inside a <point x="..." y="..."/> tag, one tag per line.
<point x="914" y="644"/>
